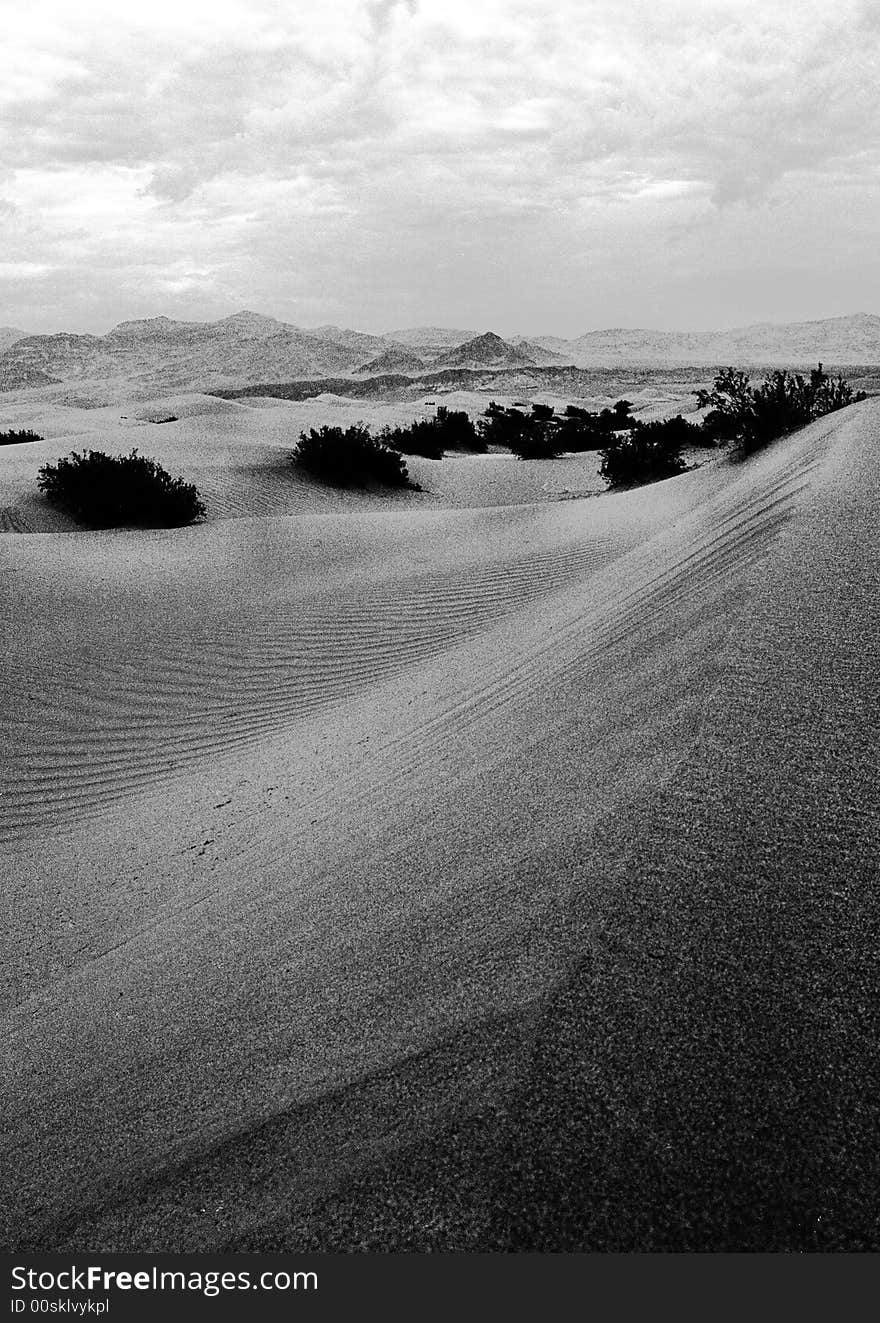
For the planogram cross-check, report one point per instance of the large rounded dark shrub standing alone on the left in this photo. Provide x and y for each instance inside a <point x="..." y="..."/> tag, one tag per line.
<point x="108" y="491"/>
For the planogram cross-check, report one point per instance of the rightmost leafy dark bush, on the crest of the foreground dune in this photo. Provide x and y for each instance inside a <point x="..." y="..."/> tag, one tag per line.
<point x="784" y="402"/>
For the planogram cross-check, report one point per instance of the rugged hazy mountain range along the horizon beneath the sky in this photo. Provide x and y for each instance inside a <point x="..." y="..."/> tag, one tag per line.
<point x="159" y="354"/>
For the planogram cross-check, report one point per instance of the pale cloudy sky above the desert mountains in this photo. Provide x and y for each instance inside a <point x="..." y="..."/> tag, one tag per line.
<point x="533" y="167"/>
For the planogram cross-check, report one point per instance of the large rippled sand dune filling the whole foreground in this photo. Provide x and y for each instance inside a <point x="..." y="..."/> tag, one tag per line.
<point x="476" y="879"/>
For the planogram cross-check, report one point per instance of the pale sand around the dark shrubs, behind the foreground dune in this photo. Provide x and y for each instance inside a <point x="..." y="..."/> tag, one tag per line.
<point x="238" y="456"/>
